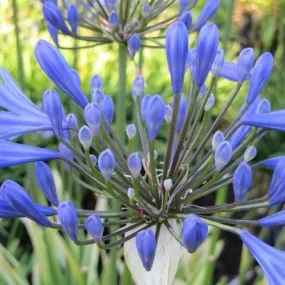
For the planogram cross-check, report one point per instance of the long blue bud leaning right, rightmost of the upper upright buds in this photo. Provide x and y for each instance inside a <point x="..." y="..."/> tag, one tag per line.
<point x="260" y="74"/>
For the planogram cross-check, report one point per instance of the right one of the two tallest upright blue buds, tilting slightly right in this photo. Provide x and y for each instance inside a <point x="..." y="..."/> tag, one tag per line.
<point x="206" y="51"/>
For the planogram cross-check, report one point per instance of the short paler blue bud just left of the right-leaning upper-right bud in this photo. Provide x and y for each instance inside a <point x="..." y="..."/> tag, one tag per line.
<point x="245" y="64"/>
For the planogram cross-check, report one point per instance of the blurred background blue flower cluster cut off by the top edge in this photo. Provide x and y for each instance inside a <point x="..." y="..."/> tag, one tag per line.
<point x="126" y="22"/>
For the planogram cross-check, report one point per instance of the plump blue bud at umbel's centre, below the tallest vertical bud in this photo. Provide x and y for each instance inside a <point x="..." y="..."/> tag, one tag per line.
<point x="154" y="116"/>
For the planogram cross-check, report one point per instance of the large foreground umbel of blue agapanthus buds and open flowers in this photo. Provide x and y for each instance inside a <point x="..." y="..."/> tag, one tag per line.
<point x="157" y="190"/>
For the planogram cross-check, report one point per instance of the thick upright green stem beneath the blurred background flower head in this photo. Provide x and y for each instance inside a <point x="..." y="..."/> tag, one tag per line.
<point x="122" y="92"/>
